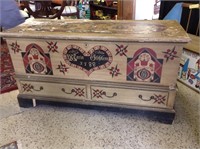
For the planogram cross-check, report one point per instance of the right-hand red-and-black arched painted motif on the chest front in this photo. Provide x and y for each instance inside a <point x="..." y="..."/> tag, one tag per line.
<point x="144" y="66"/>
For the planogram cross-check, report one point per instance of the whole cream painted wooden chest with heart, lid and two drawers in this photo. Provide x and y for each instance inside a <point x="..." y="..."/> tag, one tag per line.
<point x="126" y="64"/>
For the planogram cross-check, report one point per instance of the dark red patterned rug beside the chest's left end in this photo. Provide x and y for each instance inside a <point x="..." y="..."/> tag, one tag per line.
<point x="8" y="82"/>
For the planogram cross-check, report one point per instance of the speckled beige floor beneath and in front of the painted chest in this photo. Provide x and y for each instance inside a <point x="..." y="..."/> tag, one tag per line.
<point x="53" y="127"/>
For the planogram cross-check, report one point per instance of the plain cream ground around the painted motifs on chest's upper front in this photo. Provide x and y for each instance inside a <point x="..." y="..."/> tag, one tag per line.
<point x="169" y="69"/>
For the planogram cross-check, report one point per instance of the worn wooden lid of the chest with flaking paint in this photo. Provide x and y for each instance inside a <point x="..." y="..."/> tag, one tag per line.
<point x="98" y="30"/>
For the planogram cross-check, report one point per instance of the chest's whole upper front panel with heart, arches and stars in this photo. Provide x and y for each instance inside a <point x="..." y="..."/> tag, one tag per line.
<point x="149" y="63"/>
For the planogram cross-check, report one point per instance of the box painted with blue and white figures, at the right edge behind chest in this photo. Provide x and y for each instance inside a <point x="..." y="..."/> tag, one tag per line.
<point x="189" y="71"/>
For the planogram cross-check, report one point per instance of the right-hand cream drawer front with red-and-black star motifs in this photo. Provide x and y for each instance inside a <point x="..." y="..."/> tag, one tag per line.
<point x="138" y="97"/>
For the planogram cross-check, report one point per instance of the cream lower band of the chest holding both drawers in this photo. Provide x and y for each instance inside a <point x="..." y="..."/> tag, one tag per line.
<point x="108" y="94"/>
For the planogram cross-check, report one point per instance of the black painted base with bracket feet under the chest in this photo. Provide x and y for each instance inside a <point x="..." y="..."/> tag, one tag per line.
<point x="163" y="117"/>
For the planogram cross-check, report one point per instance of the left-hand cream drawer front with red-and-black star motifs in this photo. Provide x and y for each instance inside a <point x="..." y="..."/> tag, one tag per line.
<point x="71" y="91"/>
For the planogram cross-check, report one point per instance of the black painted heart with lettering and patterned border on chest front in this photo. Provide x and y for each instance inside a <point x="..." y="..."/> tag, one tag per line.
<point x="99" y="57"/>
